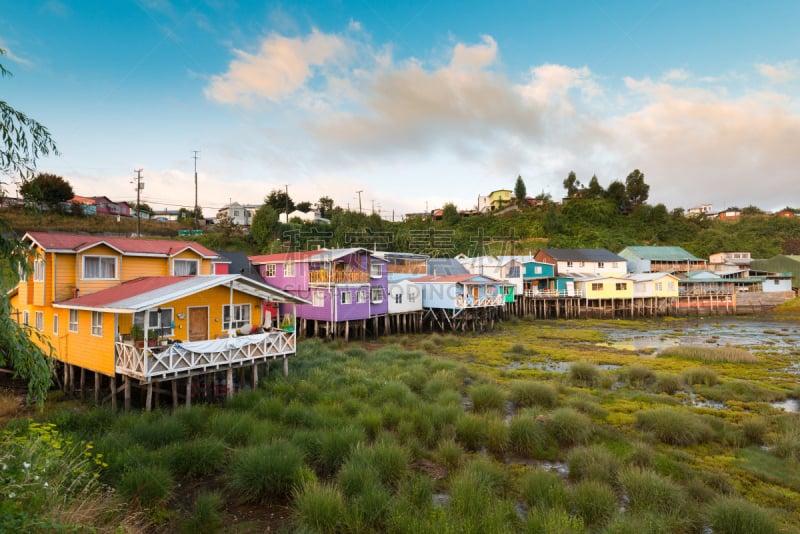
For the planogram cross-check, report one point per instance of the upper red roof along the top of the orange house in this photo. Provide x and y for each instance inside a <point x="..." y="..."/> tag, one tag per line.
<point x="126" y="245"/>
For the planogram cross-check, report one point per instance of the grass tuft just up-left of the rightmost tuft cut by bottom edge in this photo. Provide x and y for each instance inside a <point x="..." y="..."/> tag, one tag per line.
<point x="650" y="492"/>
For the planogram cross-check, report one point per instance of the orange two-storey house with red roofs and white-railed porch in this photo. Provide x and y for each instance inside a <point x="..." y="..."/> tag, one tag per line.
<point x="146" y="309"/>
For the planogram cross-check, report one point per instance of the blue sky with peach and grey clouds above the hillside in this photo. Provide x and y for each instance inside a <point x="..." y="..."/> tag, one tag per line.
<point x="401" y="107"/>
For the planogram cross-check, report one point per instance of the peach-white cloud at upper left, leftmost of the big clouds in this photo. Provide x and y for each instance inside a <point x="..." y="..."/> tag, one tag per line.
<point x="281" y="67"/>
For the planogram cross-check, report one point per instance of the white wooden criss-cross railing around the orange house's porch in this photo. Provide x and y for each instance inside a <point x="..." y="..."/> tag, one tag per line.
<point x="186" y="359"/>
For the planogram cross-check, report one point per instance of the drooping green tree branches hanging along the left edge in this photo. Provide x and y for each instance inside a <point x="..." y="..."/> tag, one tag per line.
<point x="22" y="141"/>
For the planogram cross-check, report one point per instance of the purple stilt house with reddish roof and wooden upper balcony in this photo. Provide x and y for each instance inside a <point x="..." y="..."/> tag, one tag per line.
<point x="342" y="284"/>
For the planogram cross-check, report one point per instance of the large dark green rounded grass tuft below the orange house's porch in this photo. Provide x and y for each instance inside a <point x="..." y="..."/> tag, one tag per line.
<point x="266" y="472"/>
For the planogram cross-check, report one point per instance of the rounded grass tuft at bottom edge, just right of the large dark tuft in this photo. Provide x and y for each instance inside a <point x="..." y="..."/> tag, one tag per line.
<point x="319" y="508"/>
